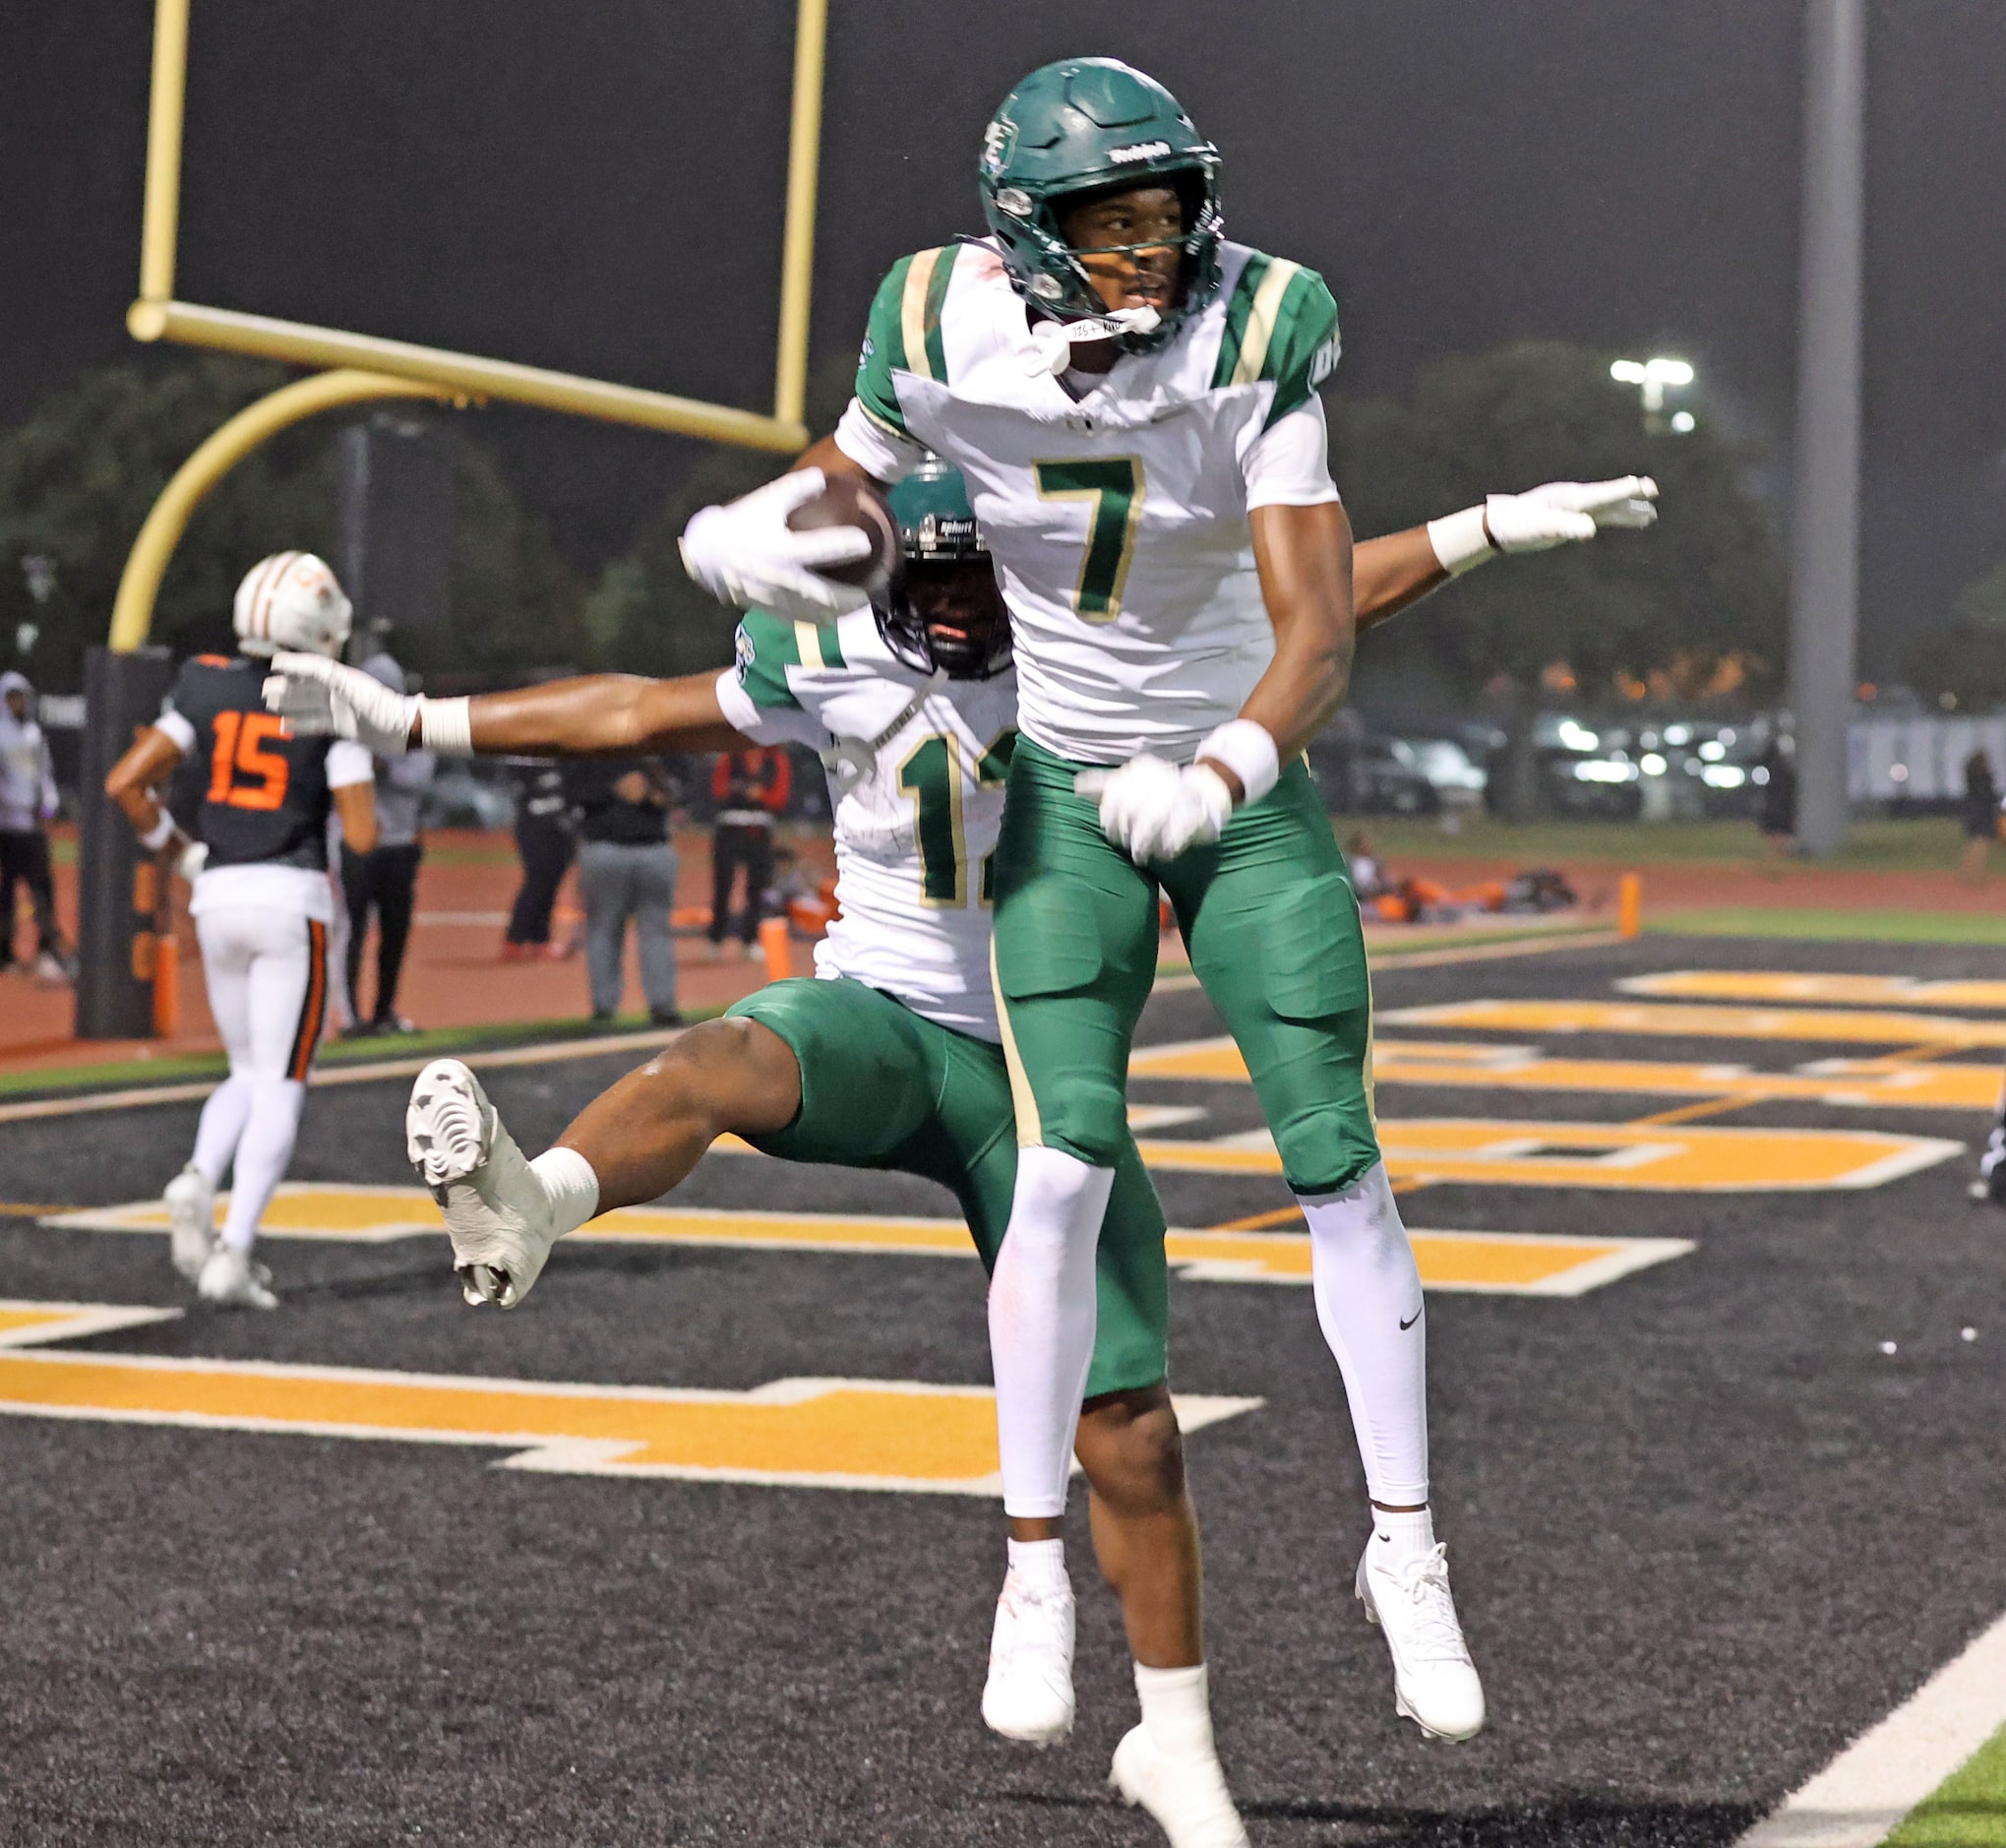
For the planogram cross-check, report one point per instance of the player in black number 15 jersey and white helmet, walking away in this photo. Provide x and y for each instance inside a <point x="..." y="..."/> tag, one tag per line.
<point x="262" y="902"/>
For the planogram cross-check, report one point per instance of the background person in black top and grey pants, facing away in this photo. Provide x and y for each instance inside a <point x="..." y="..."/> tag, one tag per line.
<point x="627" y="870"/>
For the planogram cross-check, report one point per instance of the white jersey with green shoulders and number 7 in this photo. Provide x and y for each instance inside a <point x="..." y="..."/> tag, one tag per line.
<point x="1120" y="519"/>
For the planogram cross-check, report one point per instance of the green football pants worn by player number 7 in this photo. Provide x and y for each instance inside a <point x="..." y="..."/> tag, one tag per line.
<point x="1273" y="928"/>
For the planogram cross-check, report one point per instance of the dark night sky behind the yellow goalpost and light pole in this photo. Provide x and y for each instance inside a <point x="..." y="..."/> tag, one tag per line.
<point x="599" y="190"/>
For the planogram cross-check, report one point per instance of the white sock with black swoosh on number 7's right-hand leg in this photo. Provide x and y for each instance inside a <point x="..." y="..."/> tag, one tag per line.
<point x="1371" y="1309"/>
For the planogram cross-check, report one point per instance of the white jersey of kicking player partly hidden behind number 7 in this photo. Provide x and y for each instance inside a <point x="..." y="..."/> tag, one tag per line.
<point x="916" y="784"/>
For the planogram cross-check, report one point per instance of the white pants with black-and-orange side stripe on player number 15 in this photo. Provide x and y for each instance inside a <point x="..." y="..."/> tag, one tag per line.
<point x="268" y="990"/>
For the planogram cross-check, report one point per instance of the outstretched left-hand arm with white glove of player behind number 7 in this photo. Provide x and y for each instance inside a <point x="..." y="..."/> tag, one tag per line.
<point x="595" y="715"/>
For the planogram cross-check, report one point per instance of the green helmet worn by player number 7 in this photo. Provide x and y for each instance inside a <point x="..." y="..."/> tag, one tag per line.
<point x="1094" y="125"/>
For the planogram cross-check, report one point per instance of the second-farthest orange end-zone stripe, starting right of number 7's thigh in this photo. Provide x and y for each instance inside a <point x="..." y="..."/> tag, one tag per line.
<point x="1700" y="1022"/>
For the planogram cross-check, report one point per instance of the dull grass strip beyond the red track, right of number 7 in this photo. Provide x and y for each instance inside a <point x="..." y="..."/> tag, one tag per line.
<point x="1931" y="844"/>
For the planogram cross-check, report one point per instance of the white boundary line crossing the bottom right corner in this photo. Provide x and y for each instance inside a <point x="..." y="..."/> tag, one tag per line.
<point x="1873" y="1785"/>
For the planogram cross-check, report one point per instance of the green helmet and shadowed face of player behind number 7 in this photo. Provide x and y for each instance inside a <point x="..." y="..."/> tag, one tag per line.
<point x="946" y="613"/>
